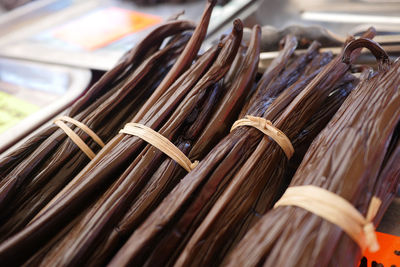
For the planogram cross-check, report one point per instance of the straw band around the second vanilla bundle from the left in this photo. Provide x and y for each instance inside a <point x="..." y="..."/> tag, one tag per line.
<point x="160" y="142"/>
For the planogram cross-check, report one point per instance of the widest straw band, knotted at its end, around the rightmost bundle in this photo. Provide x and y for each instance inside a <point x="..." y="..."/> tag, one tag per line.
<point x="336" y="210"/>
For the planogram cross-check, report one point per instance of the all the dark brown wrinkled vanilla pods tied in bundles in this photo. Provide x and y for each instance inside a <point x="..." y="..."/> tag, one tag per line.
<point x="133" y="205"/>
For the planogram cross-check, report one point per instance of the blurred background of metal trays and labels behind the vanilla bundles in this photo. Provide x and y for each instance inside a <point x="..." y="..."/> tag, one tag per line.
<point x="51" y="51"/>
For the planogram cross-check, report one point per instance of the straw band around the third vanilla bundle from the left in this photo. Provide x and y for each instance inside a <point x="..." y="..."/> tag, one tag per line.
<point x="268" y="129"/>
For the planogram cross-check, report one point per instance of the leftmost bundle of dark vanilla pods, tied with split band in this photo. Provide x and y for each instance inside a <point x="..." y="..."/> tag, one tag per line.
<point x="41" y="167"/>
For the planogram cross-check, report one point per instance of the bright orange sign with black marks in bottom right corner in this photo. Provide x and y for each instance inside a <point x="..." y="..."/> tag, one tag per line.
<point x="389" y="252"/>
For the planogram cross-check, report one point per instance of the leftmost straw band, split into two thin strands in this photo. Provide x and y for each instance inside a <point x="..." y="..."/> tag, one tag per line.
<point x="75" y="138"/>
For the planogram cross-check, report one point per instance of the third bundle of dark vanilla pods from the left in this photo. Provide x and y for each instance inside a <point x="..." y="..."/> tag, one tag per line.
<point x="241" y="165"/>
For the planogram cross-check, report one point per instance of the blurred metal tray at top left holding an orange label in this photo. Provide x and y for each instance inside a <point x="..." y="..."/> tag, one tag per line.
<point x="37" y="31"/>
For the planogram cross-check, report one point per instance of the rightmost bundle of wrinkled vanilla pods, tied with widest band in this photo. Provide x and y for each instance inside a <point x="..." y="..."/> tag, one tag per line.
<point x="347" y="158"/>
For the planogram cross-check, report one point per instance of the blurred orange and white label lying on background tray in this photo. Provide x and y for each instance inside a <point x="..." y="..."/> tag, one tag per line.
<point x="104" y="26"/>
